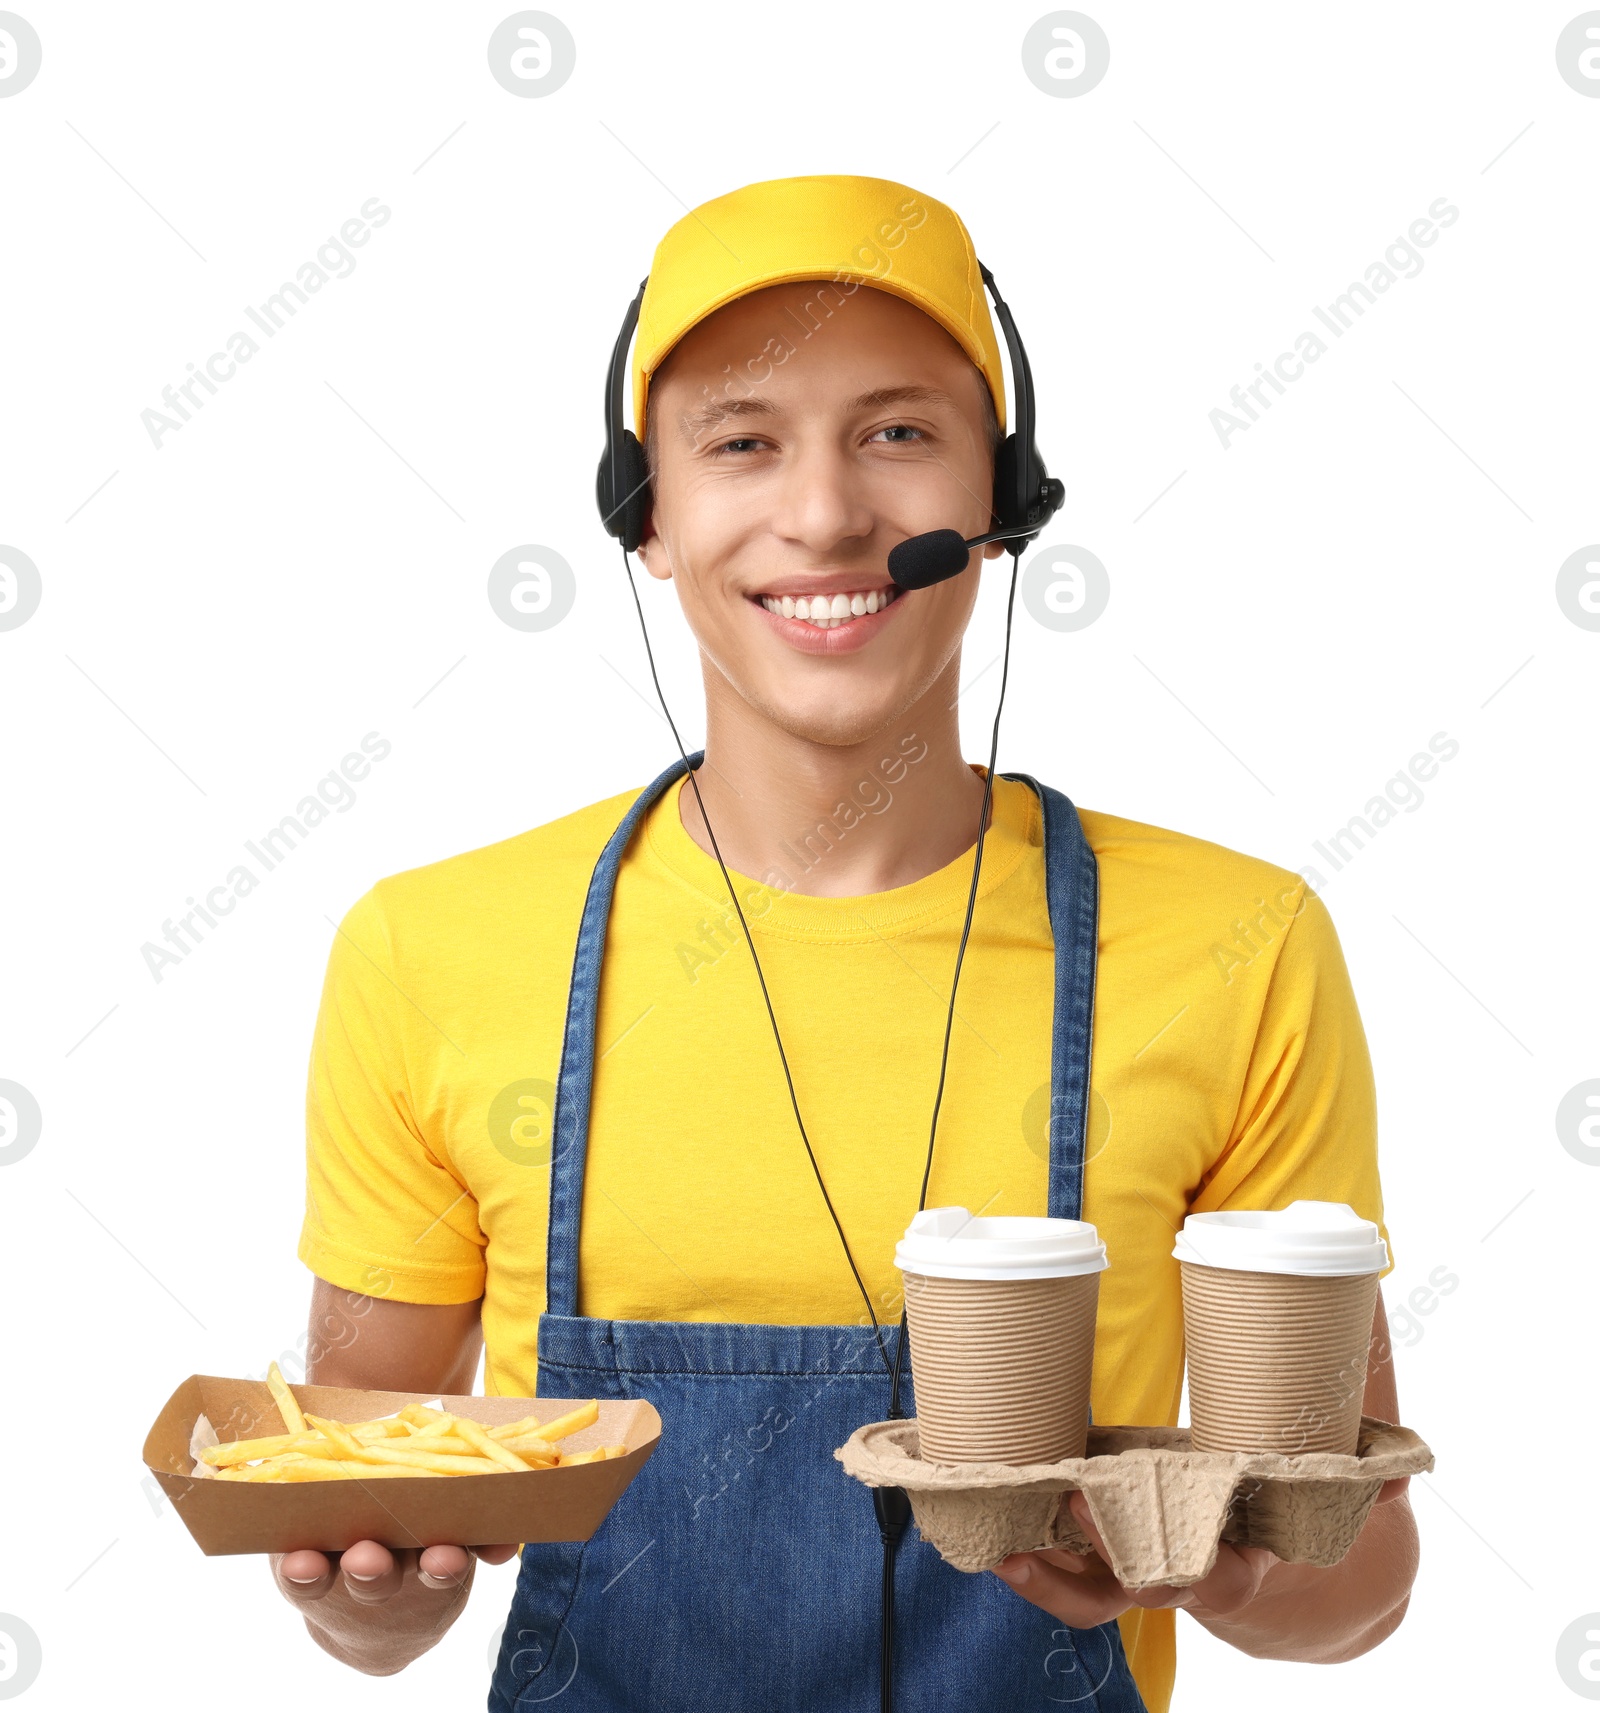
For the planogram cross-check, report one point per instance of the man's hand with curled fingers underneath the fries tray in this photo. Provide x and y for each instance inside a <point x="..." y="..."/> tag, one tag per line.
<point x="381" y="1609"/>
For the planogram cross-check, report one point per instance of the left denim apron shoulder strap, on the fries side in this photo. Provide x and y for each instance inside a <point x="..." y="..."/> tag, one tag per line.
<point x="575" y="1087"/>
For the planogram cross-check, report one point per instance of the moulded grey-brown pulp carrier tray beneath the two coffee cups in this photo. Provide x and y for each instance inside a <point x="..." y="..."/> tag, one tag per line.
<point x="1161" y="1507"/>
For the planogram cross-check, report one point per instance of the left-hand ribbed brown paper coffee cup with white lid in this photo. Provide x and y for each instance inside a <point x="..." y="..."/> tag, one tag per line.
<point x="1001" y="1320"/>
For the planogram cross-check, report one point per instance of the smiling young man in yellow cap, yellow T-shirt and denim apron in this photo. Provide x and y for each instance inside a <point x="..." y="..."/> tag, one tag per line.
<point x="818" y="379"/>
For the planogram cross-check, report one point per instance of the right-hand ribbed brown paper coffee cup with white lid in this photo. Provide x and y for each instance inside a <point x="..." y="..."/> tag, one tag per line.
<point x="1279" y="1322"/>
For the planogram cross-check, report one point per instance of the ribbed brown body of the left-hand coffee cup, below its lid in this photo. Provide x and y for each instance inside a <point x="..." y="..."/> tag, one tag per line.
<point x="1001" y="1368"/>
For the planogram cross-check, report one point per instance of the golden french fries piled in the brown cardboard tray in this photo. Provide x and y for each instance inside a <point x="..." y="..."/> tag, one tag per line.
<point x="417" y="1441"/>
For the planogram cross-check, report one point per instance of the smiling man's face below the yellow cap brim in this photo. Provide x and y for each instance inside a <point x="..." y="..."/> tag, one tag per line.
<point x="789" y="486"/>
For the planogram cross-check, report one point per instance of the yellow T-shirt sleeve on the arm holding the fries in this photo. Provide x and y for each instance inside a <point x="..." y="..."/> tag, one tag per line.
<point x="385" y="1215"/>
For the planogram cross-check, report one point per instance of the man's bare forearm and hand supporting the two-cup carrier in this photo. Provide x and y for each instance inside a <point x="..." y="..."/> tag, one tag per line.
<point x="1253" y="1599"/>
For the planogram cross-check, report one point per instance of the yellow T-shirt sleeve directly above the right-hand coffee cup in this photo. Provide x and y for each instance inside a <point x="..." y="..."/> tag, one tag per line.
<point x="1306" y="1128"/>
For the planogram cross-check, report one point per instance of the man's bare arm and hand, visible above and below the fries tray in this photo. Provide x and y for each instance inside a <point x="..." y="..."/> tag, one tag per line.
<point x="373" y="1608"/>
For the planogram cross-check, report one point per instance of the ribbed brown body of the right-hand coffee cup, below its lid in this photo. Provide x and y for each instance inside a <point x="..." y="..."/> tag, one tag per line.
<point x="1277" y="1361"/>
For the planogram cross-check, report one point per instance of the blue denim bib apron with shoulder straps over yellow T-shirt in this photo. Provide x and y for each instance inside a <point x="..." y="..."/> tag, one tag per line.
<point x="741" y="1572"/>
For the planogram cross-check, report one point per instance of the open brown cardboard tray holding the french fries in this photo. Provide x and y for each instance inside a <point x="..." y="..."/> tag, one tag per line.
<point x="422" y="1512"/>
